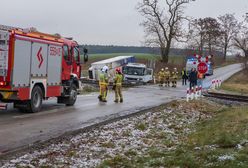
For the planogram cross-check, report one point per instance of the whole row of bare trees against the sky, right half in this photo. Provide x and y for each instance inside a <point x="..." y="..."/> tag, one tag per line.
<point x="165" y="24"/>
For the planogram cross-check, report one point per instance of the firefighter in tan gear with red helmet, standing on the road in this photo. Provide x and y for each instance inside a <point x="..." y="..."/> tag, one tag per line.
<point x="118" y="86"/>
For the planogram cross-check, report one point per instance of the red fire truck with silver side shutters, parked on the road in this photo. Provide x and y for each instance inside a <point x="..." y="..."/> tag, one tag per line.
<point x="35" y="66"/>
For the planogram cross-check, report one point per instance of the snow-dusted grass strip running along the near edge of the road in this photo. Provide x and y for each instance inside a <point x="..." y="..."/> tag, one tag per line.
<point x="136" y="134"/>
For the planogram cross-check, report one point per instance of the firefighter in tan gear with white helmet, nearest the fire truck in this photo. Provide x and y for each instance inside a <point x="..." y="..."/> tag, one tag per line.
<point x="103" y="83"/>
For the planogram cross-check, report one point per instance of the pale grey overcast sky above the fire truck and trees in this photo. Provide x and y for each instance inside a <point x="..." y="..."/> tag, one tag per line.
<point x="111" y="22"/>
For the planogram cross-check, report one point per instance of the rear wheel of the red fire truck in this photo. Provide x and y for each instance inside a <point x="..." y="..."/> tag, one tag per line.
<point x="34" y="105"/>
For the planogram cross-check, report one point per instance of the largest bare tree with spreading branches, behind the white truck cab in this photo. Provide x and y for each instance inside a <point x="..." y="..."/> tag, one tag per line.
<point x="163" y="25"/>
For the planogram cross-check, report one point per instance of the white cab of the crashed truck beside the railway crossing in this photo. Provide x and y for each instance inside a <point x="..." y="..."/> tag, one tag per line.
<point x="135" y="72"/>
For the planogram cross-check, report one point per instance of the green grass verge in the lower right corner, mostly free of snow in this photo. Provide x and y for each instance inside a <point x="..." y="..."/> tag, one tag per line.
<point x="219" y="141"/>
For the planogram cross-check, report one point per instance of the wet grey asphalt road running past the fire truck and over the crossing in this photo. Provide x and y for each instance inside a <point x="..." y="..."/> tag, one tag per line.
<point x="20" y="129"/>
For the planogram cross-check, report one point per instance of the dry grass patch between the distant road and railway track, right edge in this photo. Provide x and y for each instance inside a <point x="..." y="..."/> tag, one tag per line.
<point x="237" y="83"/>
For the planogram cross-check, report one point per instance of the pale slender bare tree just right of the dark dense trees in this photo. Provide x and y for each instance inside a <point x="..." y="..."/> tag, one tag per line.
<point x="229" y="28"/>
